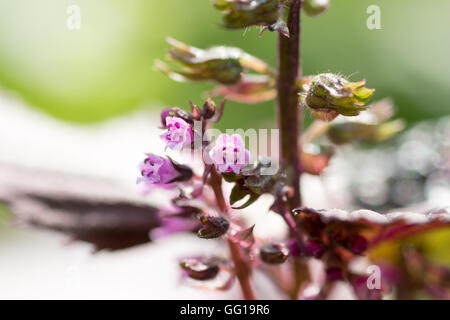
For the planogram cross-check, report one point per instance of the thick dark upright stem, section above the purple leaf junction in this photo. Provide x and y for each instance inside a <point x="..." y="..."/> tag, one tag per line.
<point x="289" y="72"/>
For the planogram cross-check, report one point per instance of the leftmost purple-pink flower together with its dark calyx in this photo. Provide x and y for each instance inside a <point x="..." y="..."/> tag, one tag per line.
<point x="159" y="170"/>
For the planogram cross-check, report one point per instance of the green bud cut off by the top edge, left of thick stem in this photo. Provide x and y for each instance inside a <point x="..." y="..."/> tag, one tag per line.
<point x="245" y="13"/>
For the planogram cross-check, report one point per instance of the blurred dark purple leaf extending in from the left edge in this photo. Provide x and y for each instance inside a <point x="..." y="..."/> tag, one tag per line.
<point x="87" y="209"/>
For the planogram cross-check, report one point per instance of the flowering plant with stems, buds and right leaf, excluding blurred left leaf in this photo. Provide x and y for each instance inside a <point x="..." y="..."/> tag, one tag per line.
<point x="333" y="236"/>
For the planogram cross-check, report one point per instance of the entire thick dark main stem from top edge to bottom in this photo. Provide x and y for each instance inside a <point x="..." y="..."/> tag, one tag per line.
<point x="289" y="113"/>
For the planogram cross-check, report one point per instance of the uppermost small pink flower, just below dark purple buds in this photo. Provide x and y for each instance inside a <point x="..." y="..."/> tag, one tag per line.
<point x="178" y="134"/>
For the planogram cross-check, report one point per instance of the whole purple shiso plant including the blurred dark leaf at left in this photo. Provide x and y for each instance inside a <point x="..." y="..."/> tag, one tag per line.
<point x="211" y="197"/>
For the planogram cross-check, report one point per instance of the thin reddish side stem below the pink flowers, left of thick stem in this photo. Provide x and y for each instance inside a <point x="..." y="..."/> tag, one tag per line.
<point x="241" y="267"/>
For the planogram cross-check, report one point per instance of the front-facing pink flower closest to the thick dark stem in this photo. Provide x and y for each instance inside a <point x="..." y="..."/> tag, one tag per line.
<point x="229" y="153"/>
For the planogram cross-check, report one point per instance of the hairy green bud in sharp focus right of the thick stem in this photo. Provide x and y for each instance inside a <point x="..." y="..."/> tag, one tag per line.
<point x="329" y="95"/>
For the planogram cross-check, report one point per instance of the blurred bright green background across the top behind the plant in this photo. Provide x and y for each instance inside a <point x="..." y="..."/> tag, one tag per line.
<point x="105" y="68"/>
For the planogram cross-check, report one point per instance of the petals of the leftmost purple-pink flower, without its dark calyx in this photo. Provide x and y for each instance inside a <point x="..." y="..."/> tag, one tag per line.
<point x="157" y="170"/>
